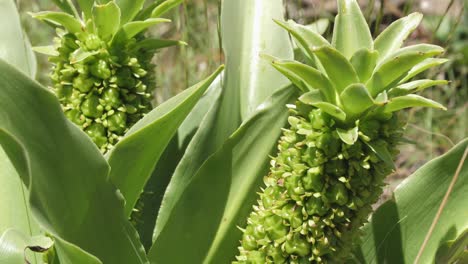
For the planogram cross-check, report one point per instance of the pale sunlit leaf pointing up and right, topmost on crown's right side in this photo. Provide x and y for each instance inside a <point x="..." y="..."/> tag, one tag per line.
<point x="392" y="38"/>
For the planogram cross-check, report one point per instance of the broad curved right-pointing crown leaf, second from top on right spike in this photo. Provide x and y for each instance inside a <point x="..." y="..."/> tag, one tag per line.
<point x="391" y="70"/>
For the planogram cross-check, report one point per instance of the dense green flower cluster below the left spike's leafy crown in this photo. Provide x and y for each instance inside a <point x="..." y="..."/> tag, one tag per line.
<point x="103" y="89"/>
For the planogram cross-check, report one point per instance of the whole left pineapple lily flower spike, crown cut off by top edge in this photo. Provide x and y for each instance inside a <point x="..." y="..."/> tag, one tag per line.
<point x="102" y="71"/>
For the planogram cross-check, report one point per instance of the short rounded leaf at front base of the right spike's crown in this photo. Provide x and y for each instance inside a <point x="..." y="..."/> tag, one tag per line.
<point x="355" y="99"/>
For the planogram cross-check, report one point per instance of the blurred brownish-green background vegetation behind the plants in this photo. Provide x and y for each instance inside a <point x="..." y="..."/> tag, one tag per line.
<point x="429" y="133"/>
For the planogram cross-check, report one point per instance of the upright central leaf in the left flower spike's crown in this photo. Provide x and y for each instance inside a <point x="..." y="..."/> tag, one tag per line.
<point x="106" y="19"/>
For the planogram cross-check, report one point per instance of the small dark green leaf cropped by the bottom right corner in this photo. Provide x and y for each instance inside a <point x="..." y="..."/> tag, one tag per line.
<point x="452" y="250"/>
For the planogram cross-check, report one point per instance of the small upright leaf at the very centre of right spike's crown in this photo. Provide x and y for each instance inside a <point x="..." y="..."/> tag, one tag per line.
<point x="364" y="62"/>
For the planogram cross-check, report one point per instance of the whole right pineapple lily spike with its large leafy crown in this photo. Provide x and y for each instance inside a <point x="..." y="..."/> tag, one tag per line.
<point x="341" y="141"/>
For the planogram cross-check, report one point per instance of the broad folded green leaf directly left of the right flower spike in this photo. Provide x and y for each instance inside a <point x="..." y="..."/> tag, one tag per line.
<point x="241" y="170"/>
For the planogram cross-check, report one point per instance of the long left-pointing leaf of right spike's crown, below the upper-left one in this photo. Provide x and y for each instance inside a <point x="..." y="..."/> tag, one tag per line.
<point x="306" y="78"/>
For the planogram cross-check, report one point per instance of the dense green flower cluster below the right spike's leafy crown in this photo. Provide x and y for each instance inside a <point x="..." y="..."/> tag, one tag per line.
<point x="319" y="191"/>
